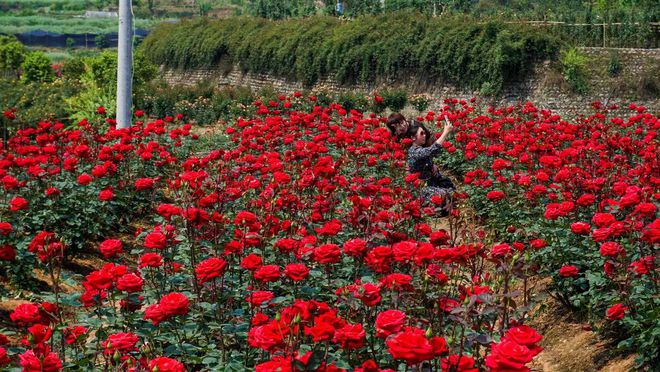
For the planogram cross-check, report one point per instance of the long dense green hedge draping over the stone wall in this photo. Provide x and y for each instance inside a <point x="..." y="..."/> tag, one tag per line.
<point x="388" y="47"/>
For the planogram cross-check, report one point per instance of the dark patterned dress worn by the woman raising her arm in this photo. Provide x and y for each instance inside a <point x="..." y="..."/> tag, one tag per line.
<point x="420" y="160"/>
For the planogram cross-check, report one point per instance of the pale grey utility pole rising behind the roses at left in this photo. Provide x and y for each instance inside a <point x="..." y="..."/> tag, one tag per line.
<point x="125" y="64"/>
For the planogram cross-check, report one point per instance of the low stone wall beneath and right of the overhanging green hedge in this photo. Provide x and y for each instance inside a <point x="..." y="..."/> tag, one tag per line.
<point x="545" y="87"/>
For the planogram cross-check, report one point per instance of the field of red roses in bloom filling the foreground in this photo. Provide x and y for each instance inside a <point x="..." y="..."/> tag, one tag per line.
<point x="300" y="244"/>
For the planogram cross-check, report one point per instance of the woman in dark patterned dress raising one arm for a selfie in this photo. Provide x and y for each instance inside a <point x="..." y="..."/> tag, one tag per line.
<point x="420" y="160"/>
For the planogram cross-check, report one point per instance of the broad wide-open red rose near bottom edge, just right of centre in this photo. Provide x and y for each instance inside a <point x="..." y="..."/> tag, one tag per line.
<point x="414" y="347"/>
